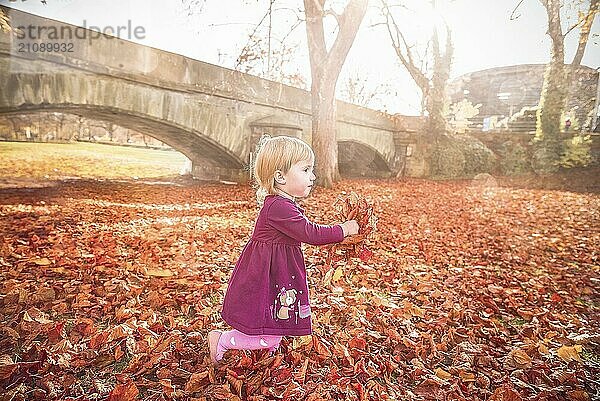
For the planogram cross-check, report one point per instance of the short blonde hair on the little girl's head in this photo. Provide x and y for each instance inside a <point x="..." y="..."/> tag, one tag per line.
<point x="277" y="153"/>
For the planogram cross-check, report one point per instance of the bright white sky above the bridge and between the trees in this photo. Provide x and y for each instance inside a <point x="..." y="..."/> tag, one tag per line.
<point x="483" y="32"/>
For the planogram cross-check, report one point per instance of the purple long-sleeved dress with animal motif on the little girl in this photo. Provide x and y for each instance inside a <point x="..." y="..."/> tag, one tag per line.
<point x="267" y="292"/>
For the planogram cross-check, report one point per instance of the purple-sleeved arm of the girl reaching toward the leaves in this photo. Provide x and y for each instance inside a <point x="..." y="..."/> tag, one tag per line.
<point x="285" y="217"/>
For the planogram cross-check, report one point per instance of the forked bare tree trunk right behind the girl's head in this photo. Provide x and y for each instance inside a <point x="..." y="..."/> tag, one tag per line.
<point x="325" y="66"/>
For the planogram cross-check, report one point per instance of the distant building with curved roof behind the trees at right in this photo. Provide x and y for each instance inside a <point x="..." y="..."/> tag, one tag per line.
<point x="509" y="96"/>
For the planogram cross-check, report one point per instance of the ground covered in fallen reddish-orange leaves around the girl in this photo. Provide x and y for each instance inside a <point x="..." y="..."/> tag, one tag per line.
<point x="108" y="290"/>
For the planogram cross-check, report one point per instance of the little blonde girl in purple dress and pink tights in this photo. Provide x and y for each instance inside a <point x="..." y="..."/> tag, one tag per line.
<point x="267" y="296"/>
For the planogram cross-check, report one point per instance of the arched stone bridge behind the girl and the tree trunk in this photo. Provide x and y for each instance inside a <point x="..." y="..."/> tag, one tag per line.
<point x="211" y="114"/>
